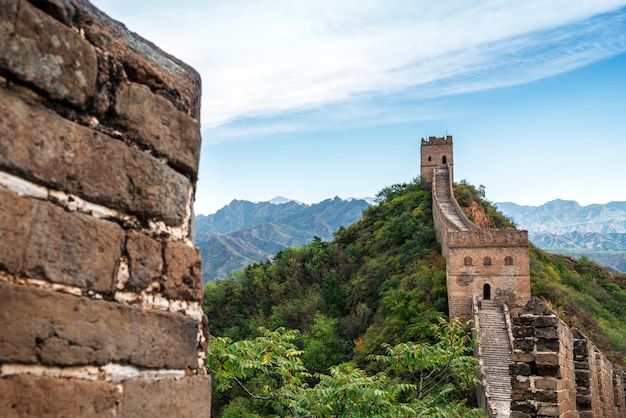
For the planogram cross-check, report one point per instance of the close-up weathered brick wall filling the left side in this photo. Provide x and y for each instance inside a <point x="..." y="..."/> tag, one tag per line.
<point x="100" y="285"/>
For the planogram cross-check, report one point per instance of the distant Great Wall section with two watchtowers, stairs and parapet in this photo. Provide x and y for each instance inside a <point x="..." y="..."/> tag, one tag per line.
<point x="531" y="364"/>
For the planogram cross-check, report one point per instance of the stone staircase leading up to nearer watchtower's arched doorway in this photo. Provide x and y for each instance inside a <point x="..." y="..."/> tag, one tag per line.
<point x="495" y="354"/>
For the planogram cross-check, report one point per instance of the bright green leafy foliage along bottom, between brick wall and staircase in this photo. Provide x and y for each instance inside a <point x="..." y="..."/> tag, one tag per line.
<point x="271" y="366"/>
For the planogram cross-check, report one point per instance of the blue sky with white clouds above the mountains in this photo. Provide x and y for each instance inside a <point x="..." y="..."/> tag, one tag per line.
<point x="315" y="99"/>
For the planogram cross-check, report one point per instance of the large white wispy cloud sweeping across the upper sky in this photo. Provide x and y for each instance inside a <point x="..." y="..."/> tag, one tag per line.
<point x="261" y="59"/>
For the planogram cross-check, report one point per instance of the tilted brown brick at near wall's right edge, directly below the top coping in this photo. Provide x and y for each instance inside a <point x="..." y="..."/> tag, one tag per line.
<point x="153" y="121"/>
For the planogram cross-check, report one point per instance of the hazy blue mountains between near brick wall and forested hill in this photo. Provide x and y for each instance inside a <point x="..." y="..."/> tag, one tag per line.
<point x="244" y="232"/>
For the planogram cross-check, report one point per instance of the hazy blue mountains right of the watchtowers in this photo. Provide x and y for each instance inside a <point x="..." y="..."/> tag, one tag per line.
<point x="565" y="227"/>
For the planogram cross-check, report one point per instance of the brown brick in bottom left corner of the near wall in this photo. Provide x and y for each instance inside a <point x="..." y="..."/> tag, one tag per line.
<point x="42" y="396"/>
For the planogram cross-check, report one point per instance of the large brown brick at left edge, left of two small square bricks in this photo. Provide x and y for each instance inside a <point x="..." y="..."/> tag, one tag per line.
<point x="41" y="240"/>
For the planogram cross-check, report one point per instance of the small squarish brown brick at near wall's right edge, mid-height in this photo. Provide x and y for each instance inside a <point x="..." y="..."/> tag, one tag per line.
<point x="183" y="270"/>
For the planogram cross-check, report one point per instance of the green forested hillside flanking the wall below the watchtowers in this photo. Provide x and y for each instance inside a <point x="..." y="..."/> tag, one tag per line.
<point x="382" y="280"/>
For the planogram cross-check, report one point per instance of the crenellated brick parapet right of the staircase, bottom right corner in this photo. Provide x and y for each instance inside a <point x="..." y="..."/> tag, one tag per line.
<point x="558" y="372"/>
